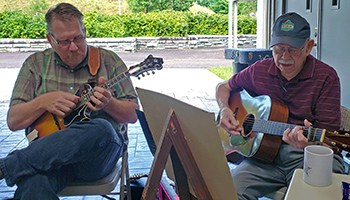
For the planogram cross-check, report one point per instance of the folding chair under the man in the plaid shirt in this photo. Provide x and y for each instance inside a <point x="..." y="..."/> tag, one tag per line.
<point x="106" y="185"/>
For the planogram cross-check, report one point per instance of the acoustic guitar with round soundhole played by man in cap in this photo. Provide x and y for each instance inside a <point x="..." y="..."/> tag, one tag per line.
<point x="263" y="122"/>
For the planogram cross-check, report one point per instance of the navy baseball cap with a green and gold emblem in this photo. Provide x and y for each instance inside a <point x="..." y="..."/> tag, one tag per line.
<point x="291" y="29"/>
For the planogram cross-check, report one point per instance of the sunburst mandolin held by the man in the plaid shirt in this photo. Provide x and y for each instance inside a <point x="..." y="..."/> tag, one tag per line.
<point x="49" y="123"/>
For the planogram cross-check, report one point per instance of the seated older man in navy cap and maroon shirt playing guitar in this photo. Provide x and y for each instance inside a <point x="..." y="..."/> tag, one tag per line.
<point x="309" y="88"/>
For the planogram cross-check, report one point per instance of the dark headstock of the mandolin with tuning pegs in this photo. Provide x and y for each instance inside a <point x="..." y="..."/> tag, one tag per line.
<point x="149" y="64"/>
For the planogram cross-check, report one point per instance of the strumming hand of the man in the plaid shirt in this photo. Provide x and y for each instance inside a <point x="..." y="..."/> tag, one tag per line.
<point x="60" y="103"/>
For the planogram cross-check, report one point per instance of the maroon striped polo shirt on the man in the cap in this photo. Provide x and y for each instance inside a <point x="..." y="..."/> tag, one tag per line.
<point x="314" y="94"/>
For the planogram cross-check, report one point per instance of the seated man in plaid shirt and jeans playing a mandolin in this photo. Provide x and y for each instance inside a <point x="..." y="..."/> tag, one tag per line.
<point x="85" y="150"/>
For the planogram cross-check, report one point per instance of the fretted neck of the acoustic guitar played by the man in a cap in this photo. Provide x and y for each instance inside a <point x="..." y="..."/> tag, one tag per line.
<point x="277" y="128"/>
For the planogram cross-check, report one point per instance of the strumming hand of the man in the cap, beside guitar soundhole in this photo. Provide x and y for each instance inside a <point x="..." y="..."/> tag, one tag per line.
<point x="229" y="122"/>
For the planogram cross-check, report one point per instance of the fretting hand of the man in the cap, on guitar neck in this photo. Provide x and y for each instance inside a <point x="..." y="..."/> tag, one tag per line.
<point x="295" y="137"/>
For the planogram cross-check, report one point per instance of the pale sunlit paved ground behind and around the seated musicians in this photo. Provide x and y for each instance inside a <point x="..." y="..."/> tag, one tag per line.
<point x="195" y="86"/>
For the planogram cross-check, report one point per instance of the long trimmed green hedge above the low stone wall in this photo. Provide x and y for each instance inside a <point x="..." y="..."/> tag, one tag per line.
<point x="17" y="24"/>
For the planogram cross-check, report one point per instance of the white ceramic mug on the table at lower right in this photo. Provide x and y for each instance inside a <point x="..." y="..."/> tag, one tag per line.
<point x="318" y="165"/>
